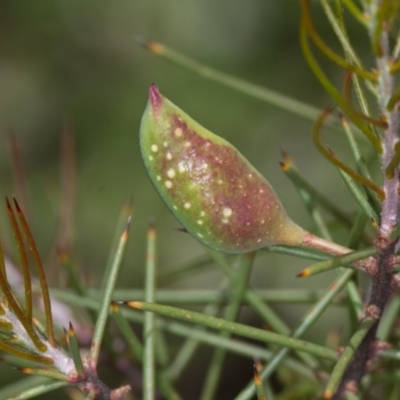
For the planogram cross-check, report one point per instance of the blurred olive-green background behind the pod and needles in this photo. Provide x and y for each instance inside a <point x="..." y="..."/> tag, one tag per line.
<point x="79" y="59"/>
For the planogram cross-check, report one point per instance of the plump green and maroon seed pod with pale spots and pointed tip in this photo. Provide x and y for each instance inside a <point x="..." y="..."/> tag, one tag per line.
<point x="214" y="192"/>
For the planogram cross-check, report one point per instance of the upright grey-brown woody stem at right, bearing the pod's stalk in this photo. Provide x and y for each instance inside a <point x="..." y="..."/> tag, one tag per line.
<point x="383" y="282"/>
